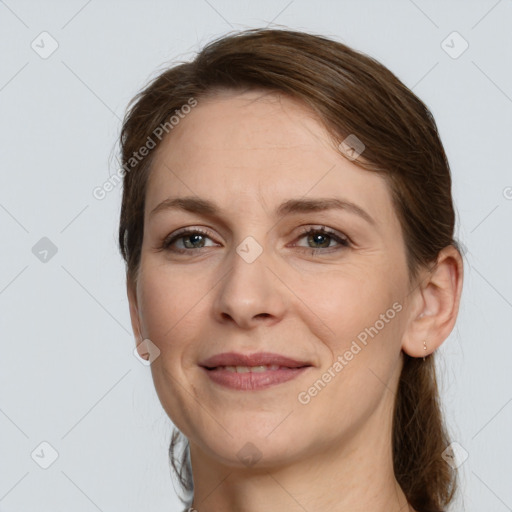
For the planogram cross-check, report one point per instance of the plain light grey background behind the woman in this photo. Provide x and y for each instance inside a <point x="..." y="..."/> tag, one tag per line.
<point x="67" y="372"/>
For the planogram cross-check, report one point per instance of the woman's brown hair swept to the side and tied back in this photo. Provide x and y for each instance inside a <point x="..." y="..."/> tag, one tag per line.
<point x="352" y="94"/>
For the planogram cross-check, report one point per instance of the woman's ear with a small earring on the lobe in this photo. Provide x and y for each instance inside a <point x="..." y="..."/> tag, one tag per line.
<point x="434" y="305"/>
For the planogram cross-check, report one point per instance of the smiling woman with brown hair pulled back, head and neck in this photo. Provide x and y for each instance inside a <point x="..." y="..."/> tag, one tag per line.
<point x="287" y="227"/>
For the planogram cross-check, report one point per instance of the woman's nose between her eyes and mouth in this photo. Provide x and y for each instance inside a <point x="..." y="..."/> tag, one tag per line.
<point x="250" y="292"/>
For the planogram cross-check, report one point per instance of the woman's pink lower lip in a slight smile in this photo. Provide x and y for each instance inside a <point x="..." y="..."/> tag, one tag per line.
<point x="249" y="381"/>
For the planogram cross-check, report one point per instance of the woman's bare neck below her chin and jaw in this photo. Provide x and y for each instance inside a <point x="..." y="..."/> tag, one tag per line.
<point x="356" y="475"/>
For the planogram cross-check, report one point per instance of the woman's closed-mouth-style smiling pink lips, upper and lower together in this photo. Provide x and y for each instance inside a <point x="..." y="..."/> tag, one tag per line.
<point x="251" y="381"/>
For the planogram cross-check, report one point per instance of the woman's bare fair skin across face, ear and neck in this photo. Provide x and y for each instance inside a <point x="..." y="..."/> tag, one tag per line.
<point x="248" y="152"/>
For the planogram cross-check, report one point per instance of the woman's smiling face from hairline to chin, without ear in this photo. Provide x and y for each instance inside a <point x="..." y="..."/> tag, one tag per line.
<point x="251" y="283"/>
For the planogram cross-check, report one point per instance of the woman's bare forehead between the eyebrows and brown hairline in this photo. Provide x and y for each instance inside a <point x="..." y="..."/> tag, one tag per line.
<point x="258" y="147"/>
